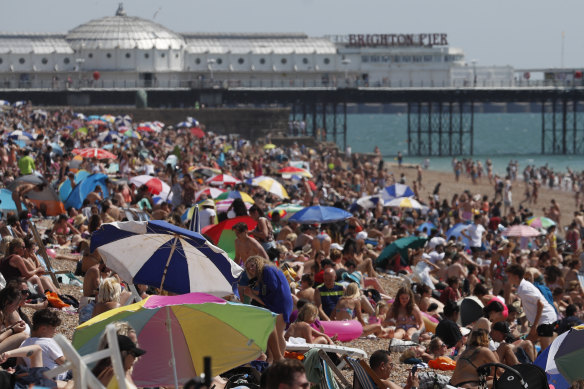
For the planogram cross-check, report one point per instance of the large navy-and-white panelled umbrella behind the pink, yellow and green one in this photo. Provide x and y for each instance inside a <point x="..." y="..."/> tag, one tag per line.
<point x="165" y="256"/>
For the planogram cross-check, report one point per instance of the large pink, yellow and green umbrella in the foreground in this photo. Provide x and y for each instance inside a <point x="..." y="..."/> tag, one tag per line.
<point x="183" y="330"/>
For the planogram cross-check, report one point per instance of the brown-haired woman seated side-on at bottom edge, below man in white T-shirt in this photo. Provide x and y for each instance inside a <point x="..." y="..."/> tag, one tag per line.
<point x="476" y="354"/>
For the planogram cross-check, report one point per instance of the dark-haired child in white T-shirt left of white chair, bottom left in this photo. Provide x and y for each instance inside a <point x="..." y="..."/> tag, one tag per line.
<point x="44" y="326"/>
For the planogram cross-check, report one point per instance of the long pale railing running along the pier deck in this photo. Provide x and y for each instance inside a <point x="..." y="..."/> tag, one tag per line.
<point x="9" y="83"/>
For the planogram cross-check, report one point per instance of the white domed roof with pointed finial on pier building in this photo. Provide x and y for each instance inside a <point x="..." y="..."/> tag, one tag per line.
<point x="123" y="32"/>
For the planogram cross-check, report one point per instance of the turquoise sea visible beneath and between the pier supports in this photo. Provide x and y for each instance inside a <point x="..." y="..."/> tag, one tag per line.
<point x="502" y="137"/>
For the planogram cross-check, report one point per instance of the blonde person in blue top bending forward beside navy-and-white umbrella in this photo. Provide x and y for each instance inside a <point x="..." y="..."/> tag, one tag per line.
<point x="274" y="293"/>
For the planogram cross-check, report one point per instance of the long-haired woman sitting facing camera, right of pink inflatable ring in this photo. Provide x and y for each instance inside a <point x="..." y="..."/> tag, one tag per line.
<point x="405" y="314"/>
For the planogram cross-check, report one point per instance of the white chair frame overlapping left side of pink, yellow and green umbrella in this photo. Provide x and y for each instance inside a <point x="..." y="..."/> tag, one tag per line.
<point x="84" y="378"/>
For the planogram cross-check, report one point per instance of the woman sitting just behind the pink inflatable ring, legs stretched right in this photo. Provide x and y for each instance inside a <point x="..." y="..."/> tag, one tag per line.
<point x="349" y="307"/>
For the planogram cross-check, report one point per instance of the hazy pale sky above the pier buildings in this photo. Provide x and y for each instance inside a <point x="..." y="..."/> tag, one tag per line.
<point x="524" y="34"/>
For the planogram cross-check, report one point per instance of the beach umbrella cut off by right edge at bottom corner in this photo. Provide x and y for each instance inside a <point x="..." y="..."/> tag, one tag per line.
<point x="569" y="354"/>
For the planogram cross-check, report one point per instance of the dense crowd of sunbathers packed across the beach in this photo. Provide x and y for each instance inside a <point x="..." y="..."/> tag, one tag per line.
<point x="305" y="273"/>
